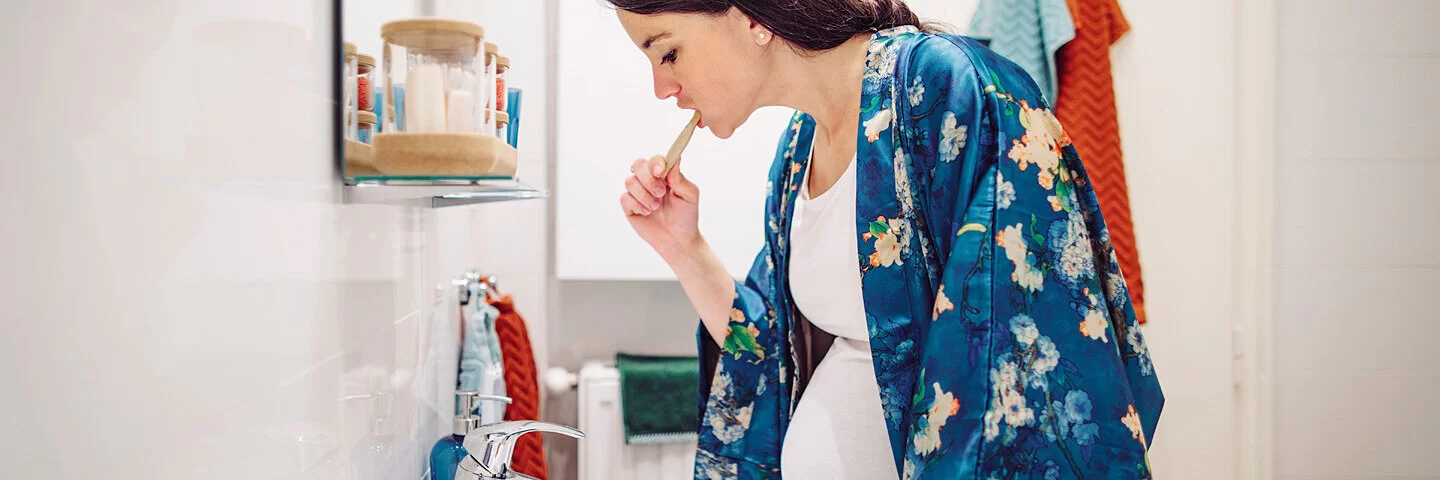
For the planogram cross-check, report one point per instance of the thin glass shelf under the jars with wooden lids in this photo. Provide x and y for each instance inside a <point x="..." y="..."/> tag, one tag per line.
<point x="437" y="192"/>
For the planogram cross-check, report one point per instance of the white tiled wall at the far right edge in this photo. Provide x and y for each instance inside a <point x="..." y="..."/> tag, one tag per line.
<point x="1356" y="227"/>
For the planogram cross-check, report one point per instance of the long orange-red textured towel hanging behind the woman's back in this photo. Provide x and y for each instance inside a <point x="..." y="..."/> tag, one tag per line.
<point x="1086" y="107"/>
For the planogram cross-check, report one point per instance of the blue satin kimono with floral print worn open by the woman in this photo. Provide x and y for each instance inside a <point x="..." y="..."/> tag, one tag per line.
<point x="1003" y="335"/>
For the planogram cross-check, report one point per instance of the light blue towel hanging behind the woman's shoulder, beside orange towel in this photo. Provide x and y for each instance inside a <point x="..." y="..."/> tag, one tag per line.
<point x="1027" y="32"/>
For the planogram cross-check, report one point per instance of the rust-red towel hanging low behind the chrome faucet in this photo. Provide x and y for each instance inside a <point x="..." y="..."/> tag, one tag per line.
<point x="522" y="386"/>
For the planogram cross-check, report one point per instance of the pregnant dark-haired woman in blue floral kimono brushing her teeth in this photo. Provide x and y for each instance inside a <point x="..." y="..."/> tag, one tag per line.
<point x="932" y="241"/>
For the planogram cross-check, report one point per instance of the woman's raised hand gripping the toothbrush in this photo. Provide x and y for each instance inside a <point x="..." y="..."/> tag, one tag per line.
<point x="665" y="213"/>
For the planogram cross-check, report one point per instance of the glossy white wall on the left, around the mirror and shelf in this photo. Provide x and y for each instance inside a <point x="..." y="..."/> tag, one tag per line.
<point x="184" y="296"/>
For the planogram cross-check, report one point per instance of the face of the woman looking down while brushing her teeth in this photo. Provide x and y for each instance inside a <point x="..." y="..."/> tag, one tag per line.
<point x="709" y="63"/>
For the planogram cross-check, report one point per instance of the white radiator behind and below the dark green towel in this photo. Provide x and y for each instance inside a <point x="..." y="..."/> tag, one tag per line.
<point x="604" y="453"/>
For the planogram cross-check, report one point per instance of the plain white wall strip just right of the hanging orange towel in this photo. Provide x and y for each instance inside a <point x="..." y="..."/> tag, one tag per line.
<point x="1176" y="86"/>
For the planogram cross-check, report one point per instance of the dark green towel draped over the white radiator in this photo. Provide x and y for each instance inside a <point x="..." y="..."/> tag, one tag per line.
<point x="659" y="399"/>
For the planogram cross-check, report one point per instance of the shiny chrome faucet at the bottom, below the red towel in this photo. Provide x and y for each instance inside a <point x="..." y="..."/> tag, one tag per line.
<point x="492" y="446"/>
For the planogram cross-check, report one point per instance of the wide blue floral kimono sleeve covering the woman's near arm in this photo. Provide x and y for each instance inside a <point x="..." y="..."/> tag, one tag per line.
<point x="1030" y="308"/>
